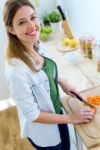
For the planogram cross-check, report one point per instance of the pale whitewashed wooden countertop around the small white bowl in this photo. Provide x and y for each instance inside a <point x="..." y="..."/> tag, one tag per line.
<point x="82" y="73"/>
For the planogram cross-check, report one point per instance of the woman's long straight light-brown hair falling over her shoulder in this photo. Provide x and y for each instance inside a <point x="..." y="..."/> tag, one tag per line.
<point x="15" y="49"/>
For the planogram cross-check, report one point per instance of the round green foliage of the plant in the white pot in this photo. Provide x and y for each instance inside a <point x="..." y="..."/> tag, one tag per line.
<point x="54" y="17"/>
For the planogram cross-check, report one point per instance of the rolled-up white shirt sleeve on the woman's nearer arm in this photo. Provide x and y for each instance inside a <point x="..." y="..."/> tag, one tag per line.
<point x="20" y="89"/>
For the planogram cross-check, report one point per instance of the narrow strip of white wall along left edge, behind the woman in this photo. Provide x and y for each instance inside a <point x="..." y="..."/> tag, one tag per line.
<point x="4" y="93"/>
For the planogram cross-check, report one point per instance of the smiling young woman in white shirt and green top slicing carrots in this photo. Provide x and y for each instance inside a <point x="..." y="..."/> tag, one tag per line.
<point x="33" y="81"/>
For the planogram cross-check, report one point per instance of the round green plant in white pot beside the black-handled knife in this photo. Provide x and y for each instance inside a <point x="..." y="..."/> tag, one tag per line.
<point x="55" y="21"/>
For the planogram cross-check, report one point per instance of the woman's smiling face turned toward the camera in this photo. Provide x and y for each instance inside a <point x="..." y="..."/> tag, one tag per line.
<point x="25" y="25"/>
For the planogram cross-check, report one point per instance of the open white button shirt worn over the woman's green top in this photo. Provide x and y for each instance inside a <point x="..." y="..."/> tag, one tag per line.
<point x="31" y="92"/>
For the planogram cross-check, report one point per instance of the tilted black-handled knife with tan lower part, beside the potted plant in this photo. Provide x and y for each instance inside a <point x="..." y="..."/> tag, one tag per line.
<point x="66" y="26"/>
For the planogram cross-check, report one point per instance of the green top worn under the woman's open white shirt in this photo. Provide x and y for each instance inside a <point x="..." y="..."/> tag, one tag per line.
<point x="50" y="69"/>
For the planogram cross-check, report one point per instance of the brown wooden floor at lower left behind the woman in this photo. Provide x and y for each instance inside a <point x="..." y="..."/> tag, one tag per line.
<point x="9" y="132"/>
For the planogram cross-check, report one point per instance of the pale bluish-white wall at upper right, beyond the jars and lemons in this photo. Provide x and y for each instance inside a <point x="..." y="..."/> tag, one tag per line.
<point x="84" y="16"/>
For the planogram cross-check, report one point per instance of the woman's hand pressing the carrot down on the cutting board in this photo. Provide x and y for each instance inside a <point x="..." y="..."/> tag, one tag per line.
<point x="82" y="116"/>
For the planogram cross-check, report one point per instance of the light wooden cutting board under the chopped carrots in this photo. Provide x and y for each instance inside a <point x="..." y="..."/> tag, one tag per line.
<point x="89" y="132"/>
